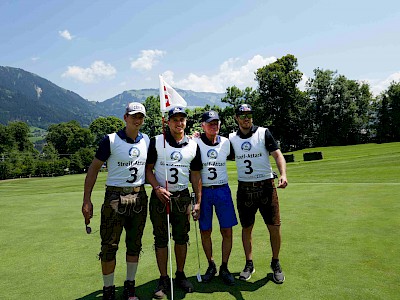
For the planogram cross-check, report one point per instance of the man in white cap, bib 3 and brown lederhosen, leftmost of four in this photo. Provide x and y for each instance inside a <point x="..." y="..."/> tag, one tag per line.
<point x="125" y="201"/>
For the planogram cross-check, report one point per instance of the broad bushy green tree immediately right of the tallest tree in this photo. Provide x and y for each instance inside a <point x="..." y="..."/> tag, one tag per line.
<point x="340" y="109"/>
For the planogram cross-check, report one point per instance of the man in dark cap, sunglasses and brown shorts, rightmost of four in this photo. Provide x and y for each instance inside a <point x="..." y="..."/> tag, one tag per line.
<point x="252" y="146"/>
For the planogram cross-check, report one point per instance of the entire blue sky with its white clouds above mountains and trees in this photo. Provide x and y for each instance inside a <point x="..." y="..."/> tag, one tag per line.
<point x="99" y="49"/>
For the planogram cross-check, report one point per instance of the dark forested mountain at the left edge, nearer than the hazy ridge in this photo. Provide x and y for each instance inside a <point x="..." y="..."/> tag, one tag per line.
<point x="38" y="102"/>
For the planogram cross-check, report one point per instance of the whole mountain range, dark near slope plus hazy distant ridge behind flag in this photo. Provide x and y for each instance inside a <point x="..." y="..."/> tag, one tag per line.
<point x="30" y="98"/>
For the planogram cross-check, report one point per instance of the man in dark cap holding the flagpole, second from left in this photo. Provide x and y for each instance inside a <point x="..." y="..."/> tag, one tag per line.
<point x="179" y="155"/>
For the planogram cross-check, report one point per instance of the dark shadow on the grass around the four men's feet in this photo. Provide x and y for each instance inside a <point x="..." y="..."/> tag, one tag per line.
<point x="145" y="291"/>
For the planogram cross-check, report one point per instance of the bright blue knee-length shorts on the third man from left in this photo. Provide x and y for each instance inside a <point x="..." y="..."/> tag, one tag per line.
<point x="221" y="198"/>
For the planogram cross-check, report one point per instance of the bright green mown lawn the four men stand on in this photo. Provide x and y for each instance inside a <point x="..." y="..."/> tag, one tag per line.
<point x="340" y="229"/>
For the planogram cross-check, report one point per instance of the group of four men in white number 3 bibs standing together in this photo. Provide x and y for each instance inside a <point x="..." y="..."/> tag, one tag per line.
<point x="169" y="163"/>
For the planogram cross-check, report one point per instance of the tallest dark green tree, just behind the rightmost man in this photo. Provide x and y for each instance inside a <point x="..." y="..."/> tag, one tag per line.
<point x="280" y="102"/>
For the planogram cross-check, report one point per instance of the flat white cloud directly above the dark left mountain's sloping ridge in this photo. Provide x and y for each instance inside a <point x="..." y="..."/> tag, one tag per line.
<point x="97" y="70"/>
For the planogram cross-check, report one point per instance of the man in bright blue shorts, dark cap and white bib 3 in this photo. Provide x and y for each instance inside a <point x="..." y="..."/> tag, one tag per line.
<point x="215" y="194"/>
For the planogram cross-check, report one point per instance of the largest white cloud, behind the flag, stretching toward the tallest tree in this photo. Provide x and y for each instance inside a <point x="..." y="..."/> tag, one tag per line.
<point x="231" y="72"/>
